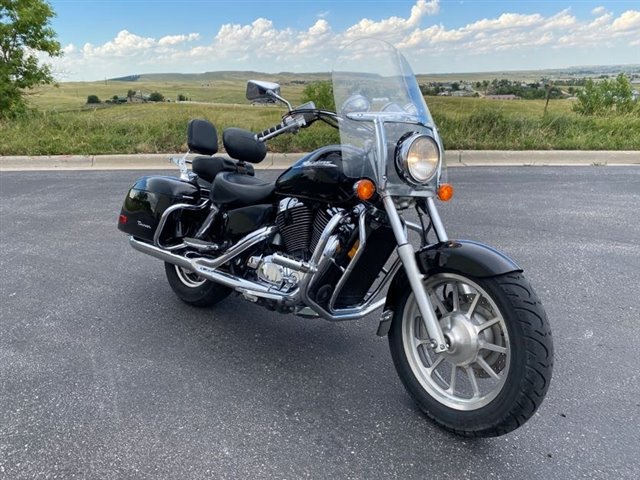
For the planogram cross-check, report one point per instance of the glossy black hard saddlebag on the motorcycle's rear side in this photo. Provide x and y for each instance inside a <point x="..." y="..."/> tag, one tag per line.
<point x="147" y="200"/>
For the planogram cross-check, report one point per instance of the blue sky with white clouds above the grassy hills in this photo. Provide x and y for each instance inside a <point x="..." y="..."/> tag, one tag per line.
<point x="112" y="38"/>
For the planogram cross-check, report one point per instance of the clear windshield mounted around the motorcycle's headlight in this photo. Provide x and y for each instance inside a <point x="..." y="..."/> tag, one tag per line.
<point x="373" y="82"/>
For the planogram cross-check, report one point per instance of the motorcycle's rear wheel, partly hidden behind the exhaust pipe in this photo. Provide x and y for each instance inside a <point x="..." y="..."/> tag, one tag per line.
<point x="192" y="289"/>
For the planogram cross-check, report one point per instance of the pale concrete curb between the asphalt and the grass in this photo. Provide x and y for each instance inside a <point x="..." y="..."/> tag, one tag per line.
<point x="454" y="158"/>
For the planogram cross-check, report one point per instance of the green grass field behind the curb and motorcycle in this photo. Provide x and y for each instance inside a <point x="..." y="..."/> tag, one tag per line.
<point x="62" y="124"/>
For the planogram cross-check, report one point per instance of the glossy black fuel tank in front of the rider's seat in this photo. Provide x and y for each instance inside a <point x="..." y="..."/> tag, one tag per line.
<point x="326" y="175"/>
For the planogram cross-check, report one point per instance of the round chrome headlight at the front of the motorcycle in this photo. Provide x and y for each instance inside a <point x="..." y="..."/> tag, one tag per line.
<point x="417" y="158"/>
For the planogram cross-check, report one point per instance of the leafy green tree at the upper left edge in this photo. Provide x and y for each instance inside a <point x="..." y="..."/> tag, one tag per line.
<point x="24" y="31"/>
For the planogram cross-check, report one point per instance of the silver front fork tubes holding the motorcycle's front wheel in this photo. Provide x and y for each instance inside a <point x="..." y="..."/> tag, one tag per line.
<point x="408" y="258"/>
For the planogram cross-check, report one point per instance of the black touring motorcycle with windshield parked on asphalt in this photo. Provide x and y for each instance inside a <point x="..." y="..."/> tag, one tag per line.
<point x="329" y="239"/>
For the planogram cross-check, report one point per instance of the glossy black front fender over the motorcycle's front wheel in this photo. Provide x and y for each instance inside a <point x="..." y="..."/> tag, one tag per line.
<point x="458" y="256"/>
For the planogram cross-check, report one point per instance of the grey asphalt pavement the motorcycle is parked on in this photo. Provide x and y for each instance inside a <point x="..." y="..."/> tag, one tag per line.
<point x="105" y="374"/>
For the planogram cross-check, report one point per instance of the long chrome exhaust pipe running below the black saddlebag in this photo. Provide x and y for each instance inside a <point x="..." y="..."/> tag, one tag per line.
<point x="211" y="273"/>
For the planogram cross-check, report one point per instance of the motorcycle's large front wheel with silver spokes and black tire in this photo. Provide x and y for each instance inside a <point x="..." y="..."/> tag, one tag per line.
<point x="498" y="366"/>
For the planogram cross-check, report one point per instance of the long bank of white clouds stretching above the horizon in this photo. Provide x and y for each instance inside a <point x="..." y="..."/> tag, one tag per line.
<point x="260" y="45"/>
